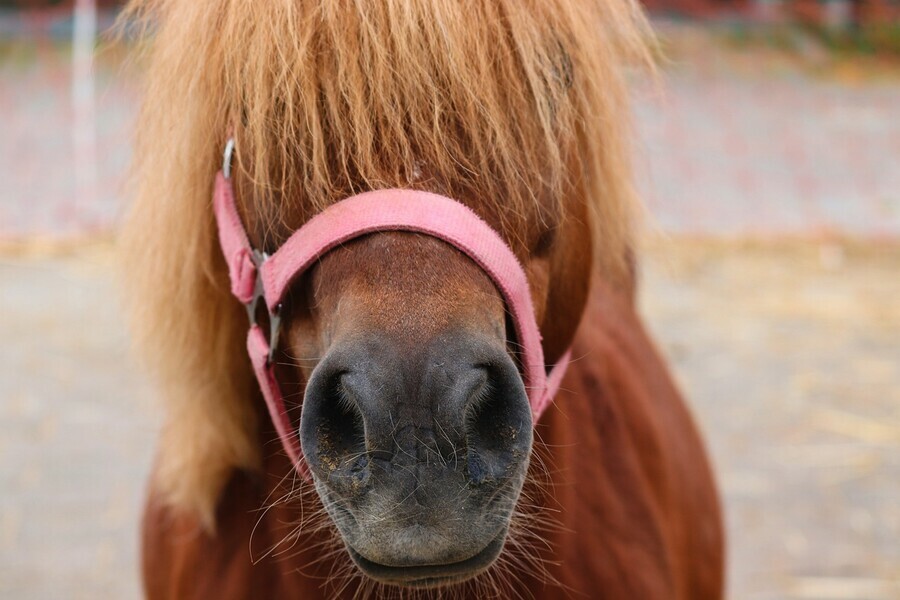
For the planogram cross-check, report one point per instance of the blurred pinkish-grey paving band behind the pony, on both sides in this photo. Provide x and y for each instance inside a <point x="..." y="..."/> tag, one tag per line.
<point x="767" y="150"/>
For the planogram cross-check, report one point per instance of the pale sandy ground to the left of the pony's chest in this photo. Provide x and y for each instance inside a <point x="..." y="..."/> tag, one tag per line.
<point x="76" y="432"/>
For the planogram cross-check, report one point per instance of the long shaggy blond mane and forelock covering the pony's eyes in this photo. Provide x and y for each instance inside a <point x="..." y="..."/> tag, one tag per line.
<point x="500" y="99"/>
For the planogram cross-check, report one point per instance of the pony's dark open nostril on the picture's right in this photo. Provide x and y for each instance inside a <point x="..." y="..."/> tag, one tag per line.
<point x="498" y="428"/>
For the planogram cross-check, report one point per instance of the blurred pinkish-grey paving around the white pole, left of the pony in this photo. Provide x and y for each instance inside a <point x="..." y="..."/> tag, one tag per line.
<point x="40" y="195"/>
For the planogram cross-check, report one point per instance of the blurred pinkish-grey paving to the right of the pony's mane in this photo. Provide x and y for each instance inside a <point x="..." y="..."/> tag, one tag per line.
<point x="769" y="153"/>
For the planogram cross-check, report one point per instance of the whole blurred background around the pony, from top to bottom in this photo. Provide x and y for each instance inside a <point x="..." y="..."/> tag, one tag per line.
<point x="769" y="159"/>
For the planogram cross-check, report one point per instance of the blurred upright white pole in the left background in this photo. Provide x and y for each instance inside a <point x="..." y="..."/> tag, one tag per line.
<point x="84" y="131"/>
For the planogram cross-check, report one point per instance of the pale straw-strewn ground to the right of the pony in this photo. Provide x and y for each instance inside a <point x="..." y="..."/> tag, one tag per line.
<point x="790" y="356"/>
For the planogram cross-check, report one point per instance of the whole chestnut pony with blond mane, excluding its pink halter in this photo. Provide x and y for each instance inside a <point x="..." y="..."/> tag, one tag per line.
<point x="398" y="361"/>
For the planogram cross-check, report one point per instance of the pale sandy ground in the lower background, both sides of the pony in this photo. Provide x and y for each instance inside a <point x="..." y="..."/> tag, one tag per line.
<point x="790" y="355"/>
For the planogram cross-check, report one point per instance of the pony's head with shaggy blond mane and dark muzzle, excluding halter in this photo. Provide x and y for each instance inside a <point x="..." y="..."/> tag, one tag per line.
<point x="399" y="363"/>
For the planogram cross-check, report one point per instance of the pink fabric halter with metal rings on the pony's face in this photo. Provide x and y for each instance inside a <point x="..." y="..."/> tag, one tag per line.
<point x="255" y="276"/>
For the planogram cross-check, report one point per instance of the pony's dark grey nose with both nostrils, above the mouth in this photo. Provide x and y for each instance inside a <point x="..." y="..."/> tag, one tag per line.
<point x="458" y="405"/>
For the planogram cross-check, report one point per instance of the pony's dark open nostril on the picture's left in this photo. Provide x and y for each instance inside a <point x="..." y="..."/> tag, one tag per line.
<point x="333" y="429"/>
